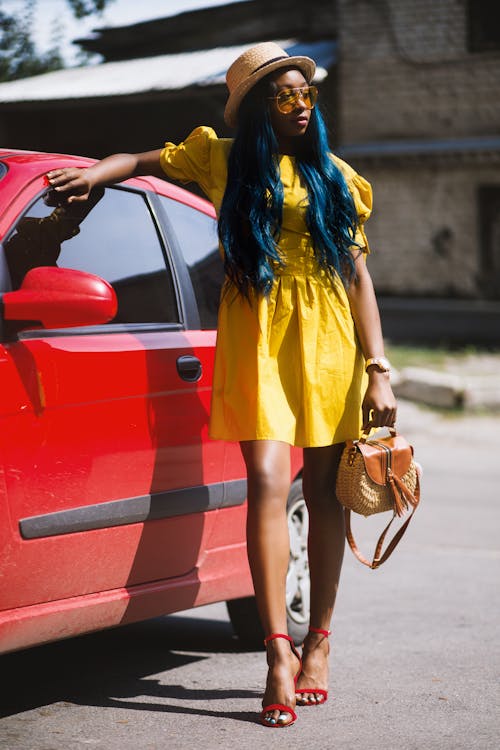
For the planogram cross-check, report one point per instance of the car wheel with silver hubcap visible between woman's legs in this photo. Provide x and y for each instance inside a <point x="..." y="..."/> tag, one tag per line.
<point x="243" y="612"/>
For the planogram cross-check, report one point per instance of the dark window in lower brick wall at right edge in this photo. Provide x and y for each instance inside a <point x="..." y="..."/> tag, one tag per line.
<point x="489" y="223"/>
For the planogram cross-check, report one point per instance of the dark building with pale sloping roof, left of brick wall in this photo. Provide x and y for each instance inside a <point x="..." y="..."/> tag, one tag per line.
<point x="160" y="79"/>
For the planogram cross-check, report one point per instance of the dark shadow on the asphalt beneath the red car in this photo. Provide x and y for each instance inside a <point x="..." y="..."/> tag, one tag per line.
<point x="122" y="663"/>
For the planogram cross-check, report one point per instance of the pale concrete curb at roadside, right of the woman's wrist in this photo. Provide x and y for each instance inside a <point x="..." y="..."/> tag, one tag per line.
<point x="447" y="390"/>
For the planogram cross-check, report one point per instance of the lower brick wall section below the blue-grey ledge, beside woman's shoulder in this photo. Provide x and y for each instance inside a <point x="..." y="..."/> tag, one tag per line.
<point x="423" y="233"/>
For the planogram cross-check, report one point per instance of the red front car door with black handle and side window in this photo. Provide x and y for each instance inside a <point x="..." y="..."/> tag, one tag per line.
<point x="107" y="470"/>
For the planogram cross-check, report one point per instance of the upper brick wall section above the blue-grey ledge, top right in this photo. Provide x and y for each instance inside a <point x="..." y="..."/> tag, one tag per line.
<point x="406" y="72"/>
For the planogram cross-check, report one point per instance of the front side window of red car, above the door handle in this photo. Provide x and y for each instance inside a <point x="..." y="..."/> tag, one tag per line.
<point x="112" y="235"/>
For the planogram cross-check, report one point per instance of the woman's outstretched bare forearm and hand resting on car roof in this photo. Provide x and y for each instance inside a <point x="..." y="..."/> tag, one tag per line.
<point x="79" y="182"/>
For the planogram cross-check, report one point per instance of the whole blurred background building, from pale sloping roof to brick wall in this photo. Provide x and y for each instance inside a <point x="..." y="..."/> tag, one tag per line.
<point x="411" y="93"/>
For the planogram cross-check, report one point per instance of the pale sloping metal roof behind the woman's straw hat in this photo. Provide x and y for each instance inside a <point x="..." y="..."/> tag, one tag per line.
<point x="151" y="74"/>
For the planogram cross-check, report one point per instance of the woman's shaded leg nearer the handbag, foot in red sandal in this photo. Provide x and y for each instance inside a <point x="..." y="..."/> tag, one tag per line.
<point x="326" y="552"/>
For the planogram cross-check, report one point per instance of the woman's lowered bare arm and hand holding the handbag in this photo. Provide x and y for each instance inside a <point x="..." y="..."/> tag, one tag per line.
<point x="379" y="403"/>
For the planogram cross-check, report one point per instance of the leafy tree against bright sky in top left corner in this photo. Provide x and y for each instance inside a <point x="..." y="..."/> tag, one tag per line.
<point x="19" y="56"/>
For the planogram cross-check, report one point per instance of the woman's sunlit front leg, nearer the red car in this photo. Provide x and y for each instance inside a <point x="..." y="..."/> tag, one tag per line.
<point x="268" y="472"/>
